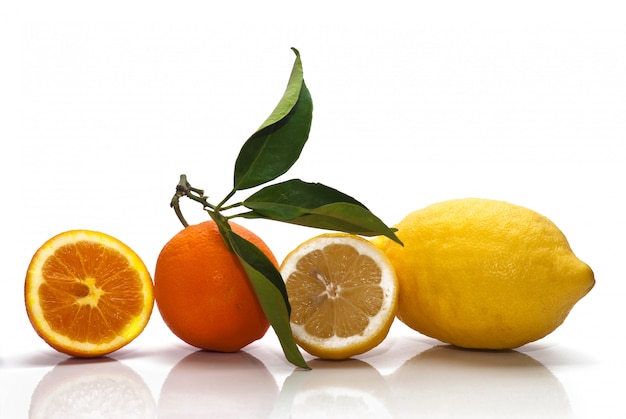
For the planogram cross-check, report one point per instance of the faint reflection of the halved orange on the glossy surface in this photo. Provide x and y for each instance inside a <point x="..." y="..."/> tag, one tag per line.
<point x="103" y="388"/>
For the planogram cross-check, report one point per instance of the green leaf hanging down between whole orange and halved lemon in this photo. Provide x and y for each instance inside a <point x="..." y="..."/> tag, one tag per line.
<point x="269" y="288"/>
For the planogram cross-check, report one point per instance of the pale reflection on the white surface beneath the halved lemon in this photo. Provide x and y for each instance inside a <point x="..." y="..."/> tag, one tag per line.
<point x="334" y="389"/>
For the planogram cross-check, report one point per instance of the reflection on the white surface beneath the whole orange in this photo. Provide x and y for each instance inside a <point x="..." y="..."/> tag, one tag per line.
<point x="218" y="385"/>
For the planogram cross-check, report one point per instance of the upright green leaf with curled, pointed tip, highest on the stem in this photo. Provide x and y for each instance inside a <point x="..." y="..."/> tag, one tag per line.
<point x="277" y="144"/>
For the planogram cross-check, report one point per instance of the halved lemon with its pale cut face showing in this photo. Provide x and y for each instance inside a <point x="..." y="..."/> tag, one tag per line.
<point x="343" y="294"/>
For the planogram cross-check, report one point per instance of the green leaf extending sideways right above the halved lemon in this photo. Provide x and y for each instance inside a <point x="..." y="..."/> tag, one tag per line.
<point x="315" y="205"/>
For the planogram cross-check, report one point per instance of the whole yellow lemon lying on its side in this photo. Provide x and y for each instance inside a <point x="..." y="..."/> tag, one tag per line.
<point x="484" y="274"/>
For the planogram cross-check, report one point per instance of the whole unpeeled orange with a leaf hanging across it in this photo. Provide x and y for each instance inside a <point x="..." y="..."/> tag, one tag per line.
<point x="203" y="293"/>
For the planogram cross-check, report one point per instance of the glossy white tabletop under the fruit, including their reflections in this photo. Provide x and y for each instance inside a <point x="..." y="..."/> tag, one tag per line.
<point x="407" y="376"/>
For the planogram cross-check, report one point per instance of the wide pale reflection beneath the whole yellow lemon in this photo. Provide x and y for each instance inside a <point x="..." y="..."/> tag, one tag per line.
<point x="445" y="381"/>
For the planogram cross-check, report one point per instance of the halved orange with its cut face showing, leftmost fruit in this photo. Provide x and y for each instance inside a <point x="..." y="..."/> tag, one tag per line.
<point x="87" y="294"/>
